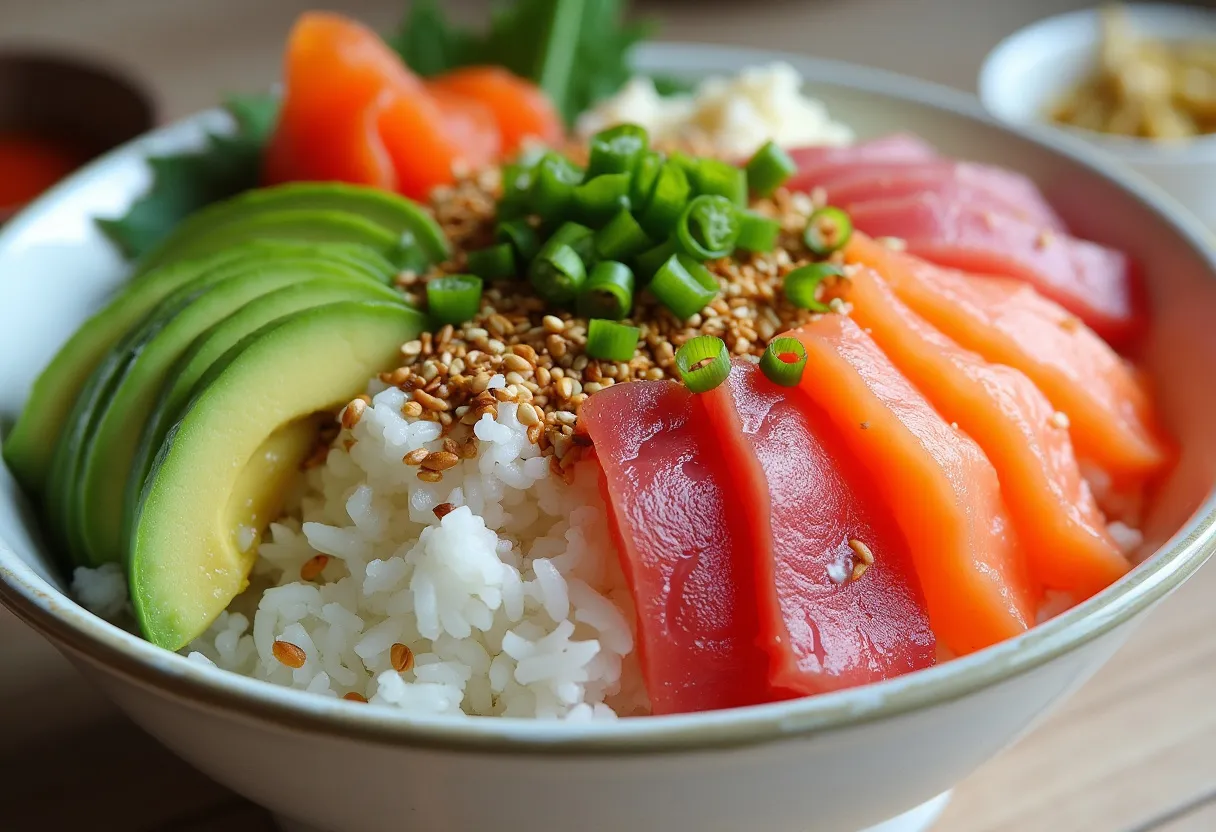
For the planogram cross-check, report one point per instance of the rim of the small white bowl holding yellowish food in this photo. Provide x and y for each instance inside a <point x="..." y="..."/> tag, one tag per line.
<point x="1130" y="149"/>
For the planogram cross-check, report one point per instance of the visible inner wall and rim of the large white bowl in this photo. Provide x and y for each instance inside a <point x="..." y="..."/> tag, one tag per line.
<point x="55" y="268"/>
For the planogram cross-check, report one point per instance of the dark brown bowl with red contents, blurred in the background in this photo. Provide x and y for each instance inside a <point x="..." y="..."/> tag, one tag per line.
<point x="72" y="100"/>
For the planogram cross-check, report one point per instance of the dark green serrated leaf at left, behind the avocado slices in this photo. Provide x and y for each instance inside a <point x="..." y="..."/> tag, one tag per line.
<point x="184" y="183"/>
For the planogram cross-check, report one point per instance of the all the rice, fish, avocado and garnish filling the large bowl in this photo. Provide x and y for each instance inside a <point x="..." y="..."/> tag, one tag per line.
<point x="491" y="400"/>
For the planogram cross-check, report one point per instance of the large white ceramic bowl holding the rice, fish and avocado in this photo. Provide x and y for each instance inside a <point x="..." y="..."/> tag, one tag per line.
<point x="837" y="763"/>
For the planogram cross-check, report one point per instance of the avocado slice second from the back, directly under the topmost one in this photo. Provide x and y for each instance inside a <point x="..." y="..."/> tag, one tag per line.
<point x="314" y="226"/>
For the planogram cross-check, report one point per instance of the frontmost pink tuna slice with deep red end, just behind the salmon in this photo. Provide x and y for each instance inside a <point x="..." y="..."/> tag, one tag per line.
<point x="1094" y="283"/>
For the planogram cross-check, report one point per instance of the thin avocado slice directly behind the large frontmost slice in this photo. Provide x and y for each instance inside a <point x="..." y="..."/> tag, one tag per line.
<point x="215" y="344"/>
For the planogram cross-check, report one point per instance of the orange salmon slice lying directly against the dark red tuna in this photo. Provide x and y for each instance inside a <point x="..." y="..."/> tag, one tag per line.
<point x="933" y="479"/>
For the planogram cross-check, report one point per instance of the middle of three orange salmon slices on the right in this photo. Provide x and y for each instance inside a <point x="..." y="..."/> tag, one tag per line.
<point x="1054" y="511"/>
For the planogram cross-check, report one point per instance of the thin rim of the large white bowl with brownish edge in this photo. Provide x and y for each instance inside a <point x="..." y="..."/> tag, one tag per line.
<point x="104" y="647"/>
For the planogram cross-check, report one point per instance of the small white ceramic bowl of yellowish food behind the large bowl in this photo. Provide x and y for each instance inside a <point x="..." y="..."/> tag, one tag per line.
<point x="1031" y="70"/>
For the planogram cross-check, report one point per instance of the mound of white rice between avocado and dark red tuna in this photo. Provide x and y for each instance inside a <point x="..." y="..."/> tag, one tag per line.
<point x="513" y="604"/>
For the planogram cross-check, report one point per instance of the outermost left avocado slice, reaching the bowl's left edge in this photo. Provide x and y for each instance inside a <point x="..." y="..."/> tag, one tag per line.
<point x="30" y="449"/>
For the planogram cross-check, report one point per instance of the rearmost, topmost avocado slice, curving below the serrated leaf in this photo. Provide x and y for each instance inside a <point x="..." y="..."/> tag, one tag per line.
<point x="402" y="217"/>
